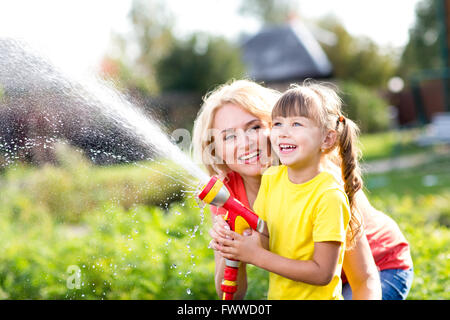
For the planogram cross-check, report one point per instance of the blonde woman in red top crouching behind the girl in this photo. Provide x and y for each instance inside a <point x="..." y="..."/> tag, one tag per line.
<point x="230" y="138"/>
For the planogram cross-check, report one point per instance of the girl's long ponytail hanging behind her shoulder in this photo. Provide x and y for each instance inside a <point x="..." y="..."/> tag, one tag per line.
<point x="351" y="172"/>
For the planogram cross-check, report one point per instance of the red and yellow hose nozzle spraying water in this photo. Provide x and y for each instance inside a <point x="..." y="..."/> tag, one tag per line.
<point x="238" y="217"/>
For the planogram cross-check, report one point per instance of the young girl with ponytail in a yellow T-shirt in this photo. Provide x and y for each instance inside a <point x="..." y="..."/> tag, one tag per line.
<point x="307" y="211"/>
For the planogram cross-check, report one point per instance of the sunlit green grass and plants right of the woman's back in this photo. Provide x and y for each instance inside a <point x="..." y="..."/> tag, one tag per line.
<point x="418" y="199"/>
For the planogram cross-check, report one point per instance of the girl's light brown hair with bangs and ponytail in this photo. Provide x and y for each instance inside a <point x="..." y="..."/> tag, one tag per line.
<point x="322" y="104"/>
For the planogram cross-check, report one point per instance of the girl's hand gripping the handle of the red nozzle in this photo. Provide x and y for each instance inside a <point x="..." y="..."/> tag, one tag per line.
<point x="245" y="248"/>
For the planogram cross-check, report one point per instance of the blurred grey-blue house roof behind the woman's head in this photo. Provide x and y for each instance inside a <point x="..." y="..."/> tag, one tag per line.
<point x="285" y="52"/>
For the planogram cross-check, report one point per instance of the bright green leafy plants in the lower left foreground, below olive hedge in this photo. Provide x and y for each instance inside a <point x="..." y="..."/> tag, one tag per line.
<point x="140" y="254"/>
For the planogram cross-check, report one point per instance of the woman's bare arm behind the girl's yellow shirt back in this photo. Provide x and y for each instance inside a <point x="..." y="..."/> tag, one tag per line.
<point x="361" y="271"/>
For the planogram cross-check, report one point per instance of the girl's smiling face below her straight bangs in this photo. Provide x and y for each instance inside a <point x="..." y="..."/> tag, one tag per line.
<point x="296" y="140"/>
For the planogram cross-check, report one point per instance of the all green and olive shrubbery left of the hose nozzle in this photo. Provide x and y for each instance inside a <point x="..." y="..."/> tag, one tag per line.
<point x="102" y="222"/>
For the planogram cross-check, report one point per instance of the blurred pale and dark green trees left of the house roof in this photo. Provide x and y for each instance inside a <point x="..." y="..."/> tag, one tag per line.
<point x="164" y="62"/>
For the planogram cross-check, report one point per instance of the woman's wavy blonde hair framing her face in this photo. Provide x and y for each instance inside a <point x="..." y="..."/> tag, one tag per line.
<point x="250" y="96"/>
